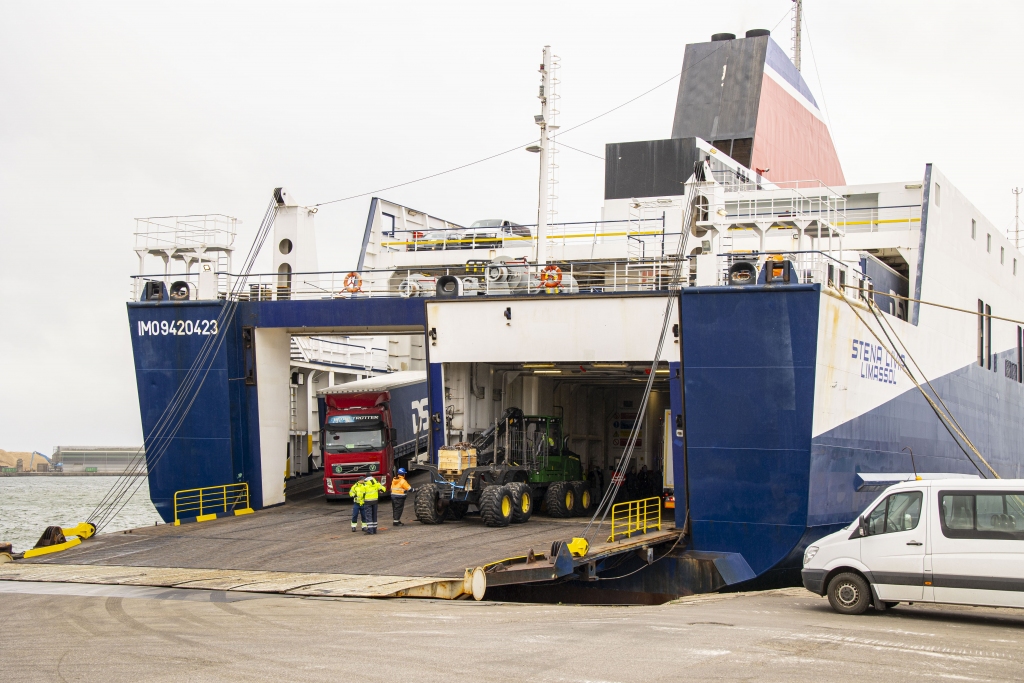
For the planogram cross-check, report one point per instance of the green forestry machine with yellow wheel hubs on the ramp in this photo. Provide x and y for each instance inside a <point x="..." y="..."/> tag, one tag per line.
<point x="520" y="462"/>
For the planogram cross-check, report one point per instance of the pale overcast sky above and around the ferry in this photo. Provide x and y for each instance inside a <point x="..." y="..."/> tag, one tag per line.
<point x="115" y="111"/>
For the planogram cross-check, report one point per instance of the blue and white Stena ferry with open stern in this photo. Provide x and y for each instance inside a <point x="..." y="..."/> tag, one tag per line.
<point x="826" y="339"/>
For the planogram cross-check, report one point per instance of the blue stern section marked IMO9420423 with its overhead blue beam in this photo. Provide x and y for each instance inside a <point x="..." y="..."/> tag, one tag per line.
<point x="218" y="439"/>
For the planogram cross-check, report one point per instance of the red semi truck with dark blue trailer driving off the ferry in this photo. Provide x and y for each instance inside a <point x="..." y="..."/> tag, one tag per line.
<point x="372" y="428"/>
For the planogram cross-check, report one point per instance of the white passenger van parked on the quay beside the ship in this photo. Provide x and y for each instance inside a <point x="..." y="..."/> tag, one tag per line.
<point x="952" y="541"/>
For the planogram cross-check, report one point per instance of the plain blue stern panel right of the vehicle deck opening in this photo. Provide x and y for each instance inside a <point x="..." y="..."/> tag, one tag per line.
<point x="749" y="358"/>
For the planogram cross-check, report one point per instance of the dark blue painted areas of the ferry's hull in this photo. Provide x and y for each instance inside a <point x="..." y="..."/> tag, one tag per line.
<point x="751" y="474"/>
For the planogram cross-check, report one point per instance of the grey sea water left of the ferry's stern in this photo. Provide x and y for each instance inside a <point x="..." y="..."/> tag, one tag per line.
<point x="30" y="504"/>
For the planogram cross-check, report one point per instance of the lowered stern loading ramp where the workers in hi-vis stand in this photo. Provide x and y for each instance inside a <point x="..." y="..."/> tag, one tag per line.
<point x="306" y="548"/>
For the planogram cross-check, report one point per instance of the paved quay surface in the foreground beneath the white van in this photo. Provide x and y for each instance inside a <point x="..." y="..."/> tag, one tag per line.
<point x="65" y="632"/>
